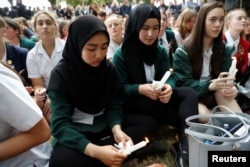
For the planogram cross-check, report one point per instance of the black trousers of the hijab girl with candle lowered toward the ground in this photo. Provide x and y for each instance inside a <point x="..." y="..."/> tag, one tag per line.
<point x="136" y="126"/>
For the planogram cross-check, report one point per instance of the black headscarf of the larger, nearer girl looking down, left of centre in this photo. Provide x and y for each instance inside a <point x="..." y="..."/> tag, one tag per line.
<point x="87" y="86"/>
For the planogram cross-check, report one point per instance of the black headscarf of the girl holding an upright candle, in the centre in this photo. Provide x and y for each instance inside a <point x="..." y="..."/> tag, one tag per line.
<point x="135" y="52"/>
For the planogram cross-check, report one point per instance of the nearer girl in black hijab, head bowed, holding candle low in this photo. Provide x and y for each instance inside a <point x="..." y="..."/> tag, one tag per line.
<point x="84" y="90"/>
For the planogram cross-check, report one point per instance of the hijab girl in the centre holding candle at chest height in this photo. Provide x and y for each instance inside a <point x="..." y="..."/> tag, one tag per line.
<point x="139" y="61"/>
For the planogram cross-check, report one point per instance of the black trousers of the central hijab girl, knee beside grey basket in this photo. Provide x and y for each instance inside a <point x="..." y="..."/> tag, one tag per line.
<point x="183" y="103"/>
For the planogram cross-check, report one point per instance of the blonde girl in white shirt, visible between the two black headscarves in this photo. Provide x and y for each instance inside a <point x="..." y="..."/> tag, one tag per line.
<point x="115" y="29"/>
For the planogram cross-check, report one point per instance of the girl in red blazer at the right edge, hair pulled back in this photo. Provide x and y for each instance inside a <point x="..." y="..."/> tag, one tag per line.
<point x="235" y="23"/>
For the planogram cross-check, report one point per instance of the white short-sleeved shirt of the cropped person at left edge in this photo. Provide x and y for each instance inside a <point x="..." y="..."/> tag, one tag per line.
<point x="20" y="113"/>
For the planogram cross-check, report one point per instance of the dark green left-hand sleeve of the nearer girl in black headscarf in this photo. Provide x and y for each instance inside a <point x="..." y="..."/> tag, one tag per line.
<point x="63" y="130"/>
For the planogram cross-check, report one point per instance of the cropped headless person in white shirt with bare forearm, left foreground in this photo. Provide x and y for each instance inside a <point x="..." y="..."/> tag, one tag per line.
<point x="24" y="133"/>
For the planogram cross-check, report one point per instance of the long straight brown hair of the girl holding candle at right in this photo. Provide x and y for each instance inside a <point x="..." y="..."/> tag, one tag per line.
<point x="194" y="44"/>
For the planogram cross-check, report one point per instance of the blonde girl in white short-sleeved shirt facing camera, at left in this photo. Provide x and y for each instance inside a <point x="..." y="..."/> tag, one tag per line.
<point x="43" y="57"/>
